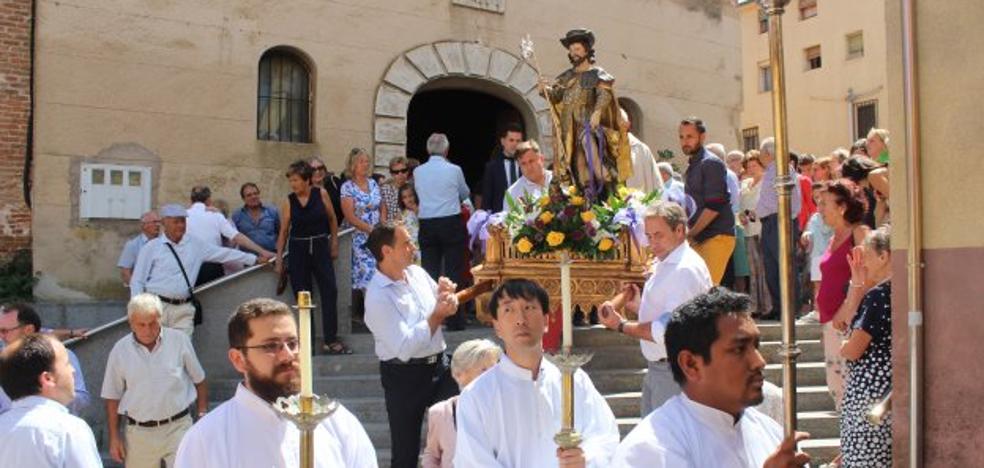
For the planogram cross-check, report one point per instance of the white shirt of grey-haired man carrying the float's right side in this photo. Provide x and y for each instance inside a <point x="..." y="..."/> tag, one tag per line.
<point x="680" y="277"/>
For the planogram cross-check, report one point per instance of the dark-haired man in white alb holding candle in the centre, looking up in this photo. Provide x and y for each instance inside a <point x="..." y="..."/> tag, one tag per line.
<point x="507" y="418"/>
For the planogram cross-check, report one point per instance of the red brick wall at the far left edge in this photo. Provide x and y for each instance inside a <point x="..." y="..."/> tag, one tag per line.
<point x="15" y="90"/>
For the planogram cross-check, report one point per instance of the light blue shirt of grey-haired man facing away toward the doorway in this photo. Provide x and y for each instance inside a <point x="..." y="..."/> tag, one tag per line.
<point x="441" y="188"/>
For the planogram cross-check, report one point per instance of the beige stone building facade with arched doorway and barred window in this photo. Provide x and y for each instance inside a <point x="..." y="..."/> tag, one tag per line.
<point x="137" y="101"/>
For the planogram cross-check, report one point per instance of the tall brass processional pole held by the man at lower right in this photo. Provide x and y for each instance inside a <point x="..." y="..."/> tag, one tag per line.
<point x="784" y="188"/>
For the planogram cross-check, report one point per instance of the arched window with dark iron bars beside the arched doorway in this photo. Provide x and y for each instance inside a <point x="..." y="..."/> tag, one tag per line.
<point x="283" y="110"/>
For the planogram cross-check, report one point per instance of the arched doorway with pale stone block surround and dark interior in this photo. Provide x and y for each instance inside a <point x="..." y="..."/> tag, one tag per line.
<point x="464" y="89"/>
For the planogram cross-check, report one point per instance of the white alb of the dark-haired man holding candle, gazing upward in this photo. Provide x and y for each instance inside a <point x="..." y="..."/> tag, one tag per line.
<point x="507" y="419"/>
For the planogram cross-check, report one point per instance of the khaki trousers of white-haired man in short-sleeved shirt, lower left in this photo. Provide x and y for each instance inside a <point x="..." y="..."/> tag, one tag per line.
<point x="147" y="446"/>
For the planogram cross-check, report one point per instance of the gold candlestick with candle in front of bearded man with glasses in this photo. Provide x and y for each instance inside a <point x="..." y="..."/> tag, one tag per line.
<point x="305" y="410"/>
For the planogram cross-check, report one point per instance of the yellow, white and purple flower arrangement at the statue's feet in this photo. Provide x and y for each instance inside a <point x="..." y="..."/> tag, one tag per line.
<point x="565" y="220"/>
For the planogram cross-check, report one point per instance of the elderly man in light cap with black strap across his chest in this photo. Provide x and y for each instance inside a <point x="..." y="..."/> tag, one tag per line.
<point x="167" y="265"/>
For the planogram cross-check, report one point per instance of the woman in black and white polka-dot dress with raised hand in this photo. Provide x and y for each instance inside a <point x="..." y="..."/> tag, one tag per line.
<point x="868" y="352"/>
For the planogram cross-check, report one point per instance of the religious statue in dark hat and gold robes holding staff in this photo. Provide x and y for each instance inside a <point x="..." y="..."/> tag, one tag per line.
<point x="593" y="151"/>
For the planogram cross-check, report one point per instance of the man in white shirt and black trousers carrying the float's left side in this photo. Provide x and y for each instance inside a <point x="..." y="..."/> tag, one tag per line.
<point x="404" y="311"/>
